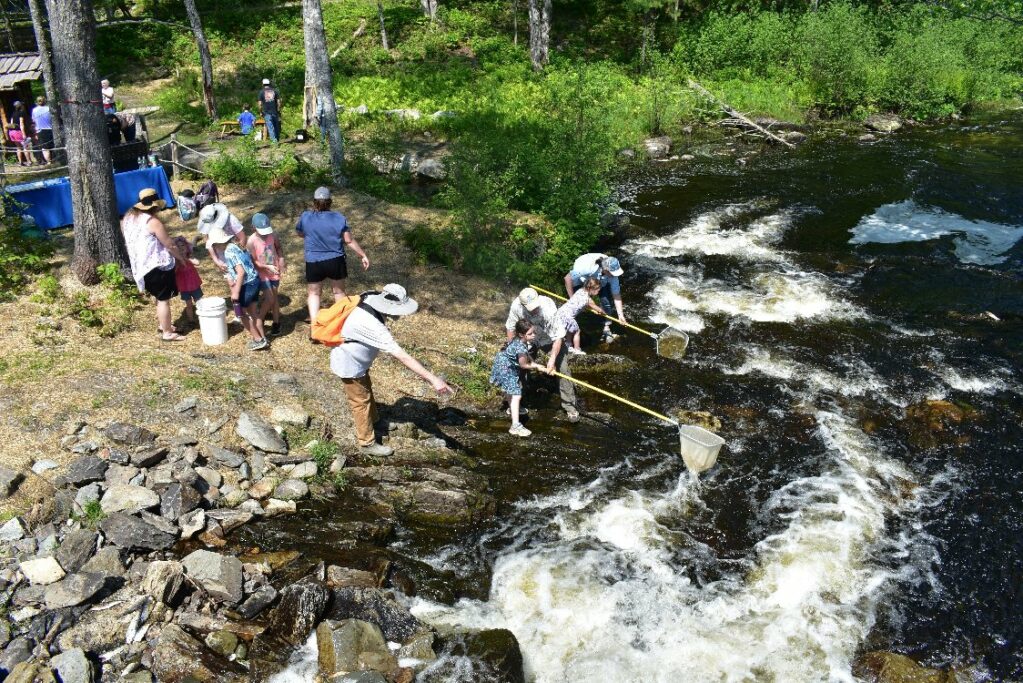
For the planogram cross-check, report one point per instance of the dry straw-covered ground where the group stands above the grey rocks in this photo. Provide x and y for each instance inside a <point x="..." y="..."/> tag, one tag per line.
<point x="55" y="372"/>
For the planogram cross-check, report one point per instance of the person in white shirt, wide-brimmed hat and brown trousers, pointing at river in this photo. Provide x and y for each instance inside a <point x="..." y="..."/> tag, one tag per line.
<point x="366" y="335"/>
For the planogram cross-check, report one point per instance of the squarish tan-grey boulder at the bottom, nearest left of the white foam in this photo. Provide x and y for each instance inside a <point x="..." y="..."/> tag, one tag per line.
<point x="352" y="646"/>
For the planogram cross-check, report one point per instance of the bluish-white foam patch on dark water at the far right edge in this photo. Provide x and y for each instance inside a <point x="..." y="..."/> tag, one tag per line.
<point x="976" y="242"/>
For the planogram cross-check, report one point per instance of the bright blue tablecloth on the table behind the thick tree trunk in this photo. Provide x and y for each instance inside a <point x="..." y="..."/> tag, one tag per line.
<point x="50" y="201"/>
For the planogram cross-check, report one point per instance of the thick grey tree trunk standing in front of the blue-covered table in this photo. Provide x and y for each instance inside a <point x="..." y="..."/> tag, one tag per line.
<point x="98" y="237"/>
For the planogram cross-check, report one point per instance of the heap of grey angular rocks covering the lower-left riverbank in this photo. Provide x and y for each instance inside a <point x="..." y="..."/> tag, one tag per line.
<point x="122" y="572"/>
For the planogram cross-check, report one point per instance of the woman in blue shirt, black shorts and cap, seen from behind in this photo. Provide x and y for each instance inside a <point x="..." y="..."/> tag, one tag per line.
<point x="326" y="234"/>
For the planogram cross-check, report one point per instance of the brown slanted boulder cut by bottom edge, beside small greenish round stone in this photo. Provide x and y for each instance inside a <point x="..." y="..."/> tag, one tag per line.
<point x="179" y="657"/>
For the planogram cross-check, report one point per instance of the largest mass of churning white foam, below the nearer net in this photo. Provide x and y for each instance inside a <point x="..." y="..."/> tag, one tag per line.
<point x="609" y="601"/>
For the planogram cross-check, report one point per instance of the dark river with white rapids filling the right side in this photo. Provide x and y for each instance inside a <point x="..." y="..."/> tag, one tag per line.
<point x="857" y="316"/>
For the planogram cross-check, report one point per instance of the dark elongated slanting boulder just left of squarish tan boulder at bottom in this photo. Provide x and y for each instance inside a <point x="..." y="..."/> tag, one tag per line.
<point x="289" y="625"/>
